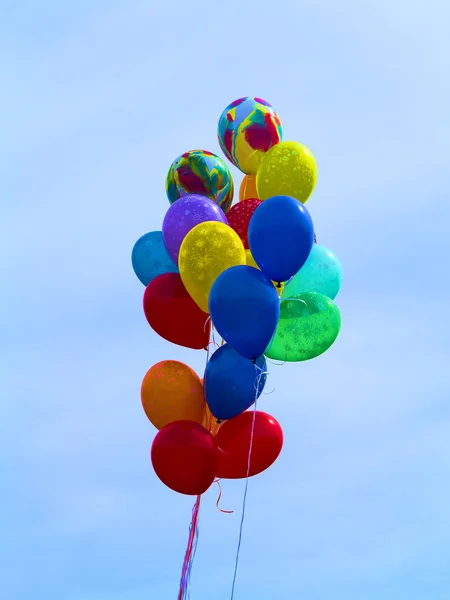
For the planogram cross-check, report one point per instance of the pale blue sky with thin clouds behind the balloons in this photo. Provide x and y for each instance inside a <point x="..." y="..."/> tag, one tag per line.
<point x="98" y="98"/>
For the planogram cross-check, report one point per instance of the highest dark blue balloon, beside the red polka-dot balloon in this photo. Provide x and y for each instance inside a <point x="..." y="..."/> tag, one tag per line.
<point x="280" y="236"/>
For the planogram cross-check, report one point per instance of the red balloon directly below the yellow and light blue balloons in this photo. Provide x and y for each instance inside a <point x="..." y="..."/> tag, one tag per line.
<point x="173" y="314"/>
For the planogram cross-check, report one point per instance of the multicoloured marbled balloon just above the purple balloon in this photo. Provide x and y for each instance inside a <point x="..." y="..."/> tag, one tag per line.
<point x="200" y="172"/>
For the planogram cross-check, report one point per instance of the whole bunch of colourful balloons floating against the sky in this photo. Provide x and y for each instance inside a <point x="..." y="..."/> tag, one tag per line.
<point x="250" y="271"/>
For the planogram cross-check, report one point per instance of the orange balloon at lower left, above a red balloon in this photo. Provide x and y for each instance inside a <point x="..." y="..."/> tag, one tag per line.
<point x="171" y="391"/>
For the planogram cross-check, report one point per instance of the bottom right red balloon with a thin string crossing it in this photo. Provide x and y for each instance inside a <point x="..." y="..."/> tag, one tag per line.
<point x="233" y="440"/>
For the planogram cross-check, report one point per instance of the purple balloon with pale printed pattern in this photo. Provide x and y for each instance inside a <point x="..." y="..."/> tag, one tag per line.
<point x="183" y="215"/>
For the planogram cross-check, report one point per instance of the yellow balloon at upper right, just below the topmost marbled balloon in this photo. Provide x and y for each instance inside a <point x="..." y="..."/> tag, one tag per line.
<point x="287" y="169"/>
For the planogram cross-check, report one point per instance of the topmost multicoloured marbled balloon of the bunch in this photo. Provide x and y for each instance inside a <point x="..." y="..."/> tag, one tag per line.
<point x="247" y="128"/>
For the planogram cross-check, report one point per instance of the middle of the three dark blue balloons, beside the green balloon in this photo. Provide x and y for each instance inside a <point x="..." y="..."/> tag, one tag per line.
<point x="244" y="309"/>
